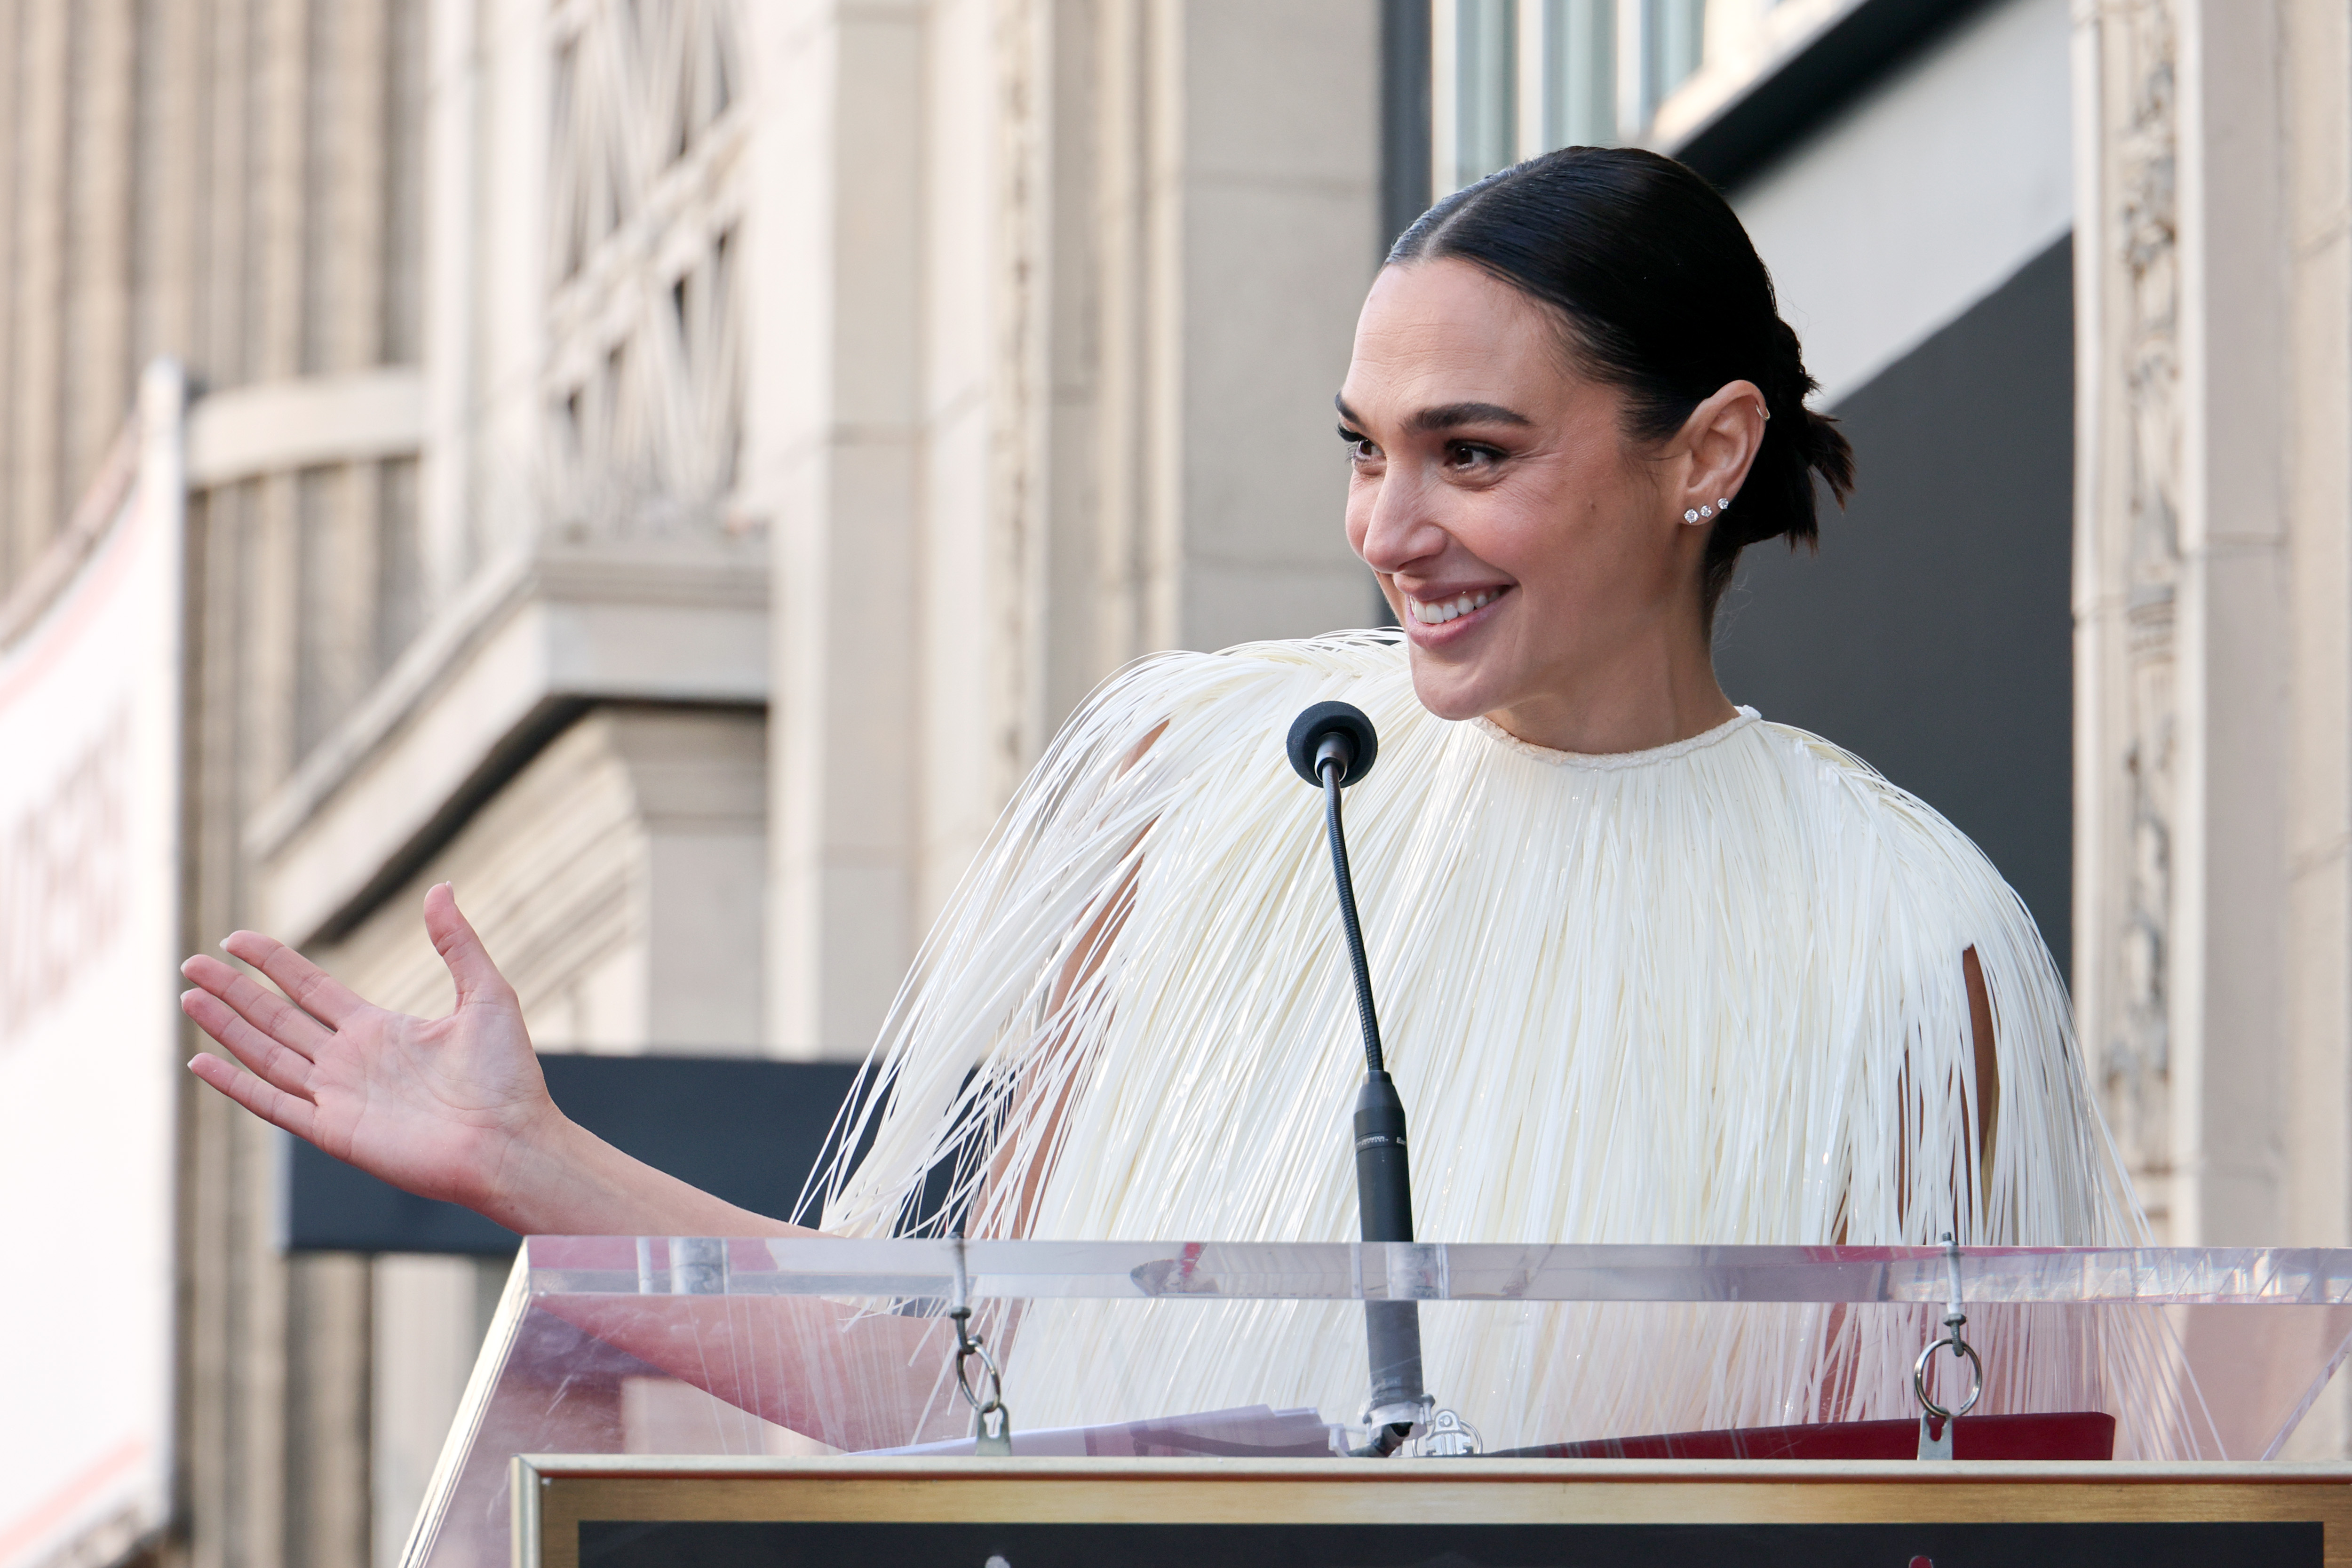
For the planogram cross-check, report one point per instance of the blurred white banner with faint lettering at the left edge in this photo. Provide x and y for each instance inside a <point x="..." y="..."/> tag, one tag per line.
<point x="91" y="718"/>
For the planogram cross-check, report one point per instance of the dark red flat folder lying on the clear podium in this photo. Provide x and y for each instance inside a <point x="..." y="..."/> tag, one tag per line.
<point x="2073" y="1435"/>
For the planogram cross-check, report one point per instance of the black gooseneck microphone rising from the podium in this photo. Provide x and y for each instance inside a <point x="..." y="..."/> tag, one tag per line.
<point x="1332" y="746"/>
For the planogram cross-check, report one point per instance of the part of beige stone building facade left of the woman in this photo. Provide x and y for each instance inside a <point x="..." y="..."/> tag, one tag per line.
<point x="544" y="349"/>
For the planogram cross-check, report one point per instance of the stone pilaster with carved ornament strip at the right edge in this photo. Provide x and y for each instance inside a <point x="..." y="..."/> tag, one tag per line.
<point x="2214" y="610"/>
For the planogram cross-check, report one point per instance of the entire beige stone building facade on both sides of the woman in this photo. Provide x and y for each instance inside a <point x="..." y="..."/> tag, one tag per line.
<point x="669" y="467"/>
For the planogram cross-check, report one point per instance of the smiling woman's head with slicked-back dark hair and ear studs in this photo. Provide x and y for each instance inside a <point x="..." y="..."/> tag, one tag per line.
<point x="1589" y="342"/>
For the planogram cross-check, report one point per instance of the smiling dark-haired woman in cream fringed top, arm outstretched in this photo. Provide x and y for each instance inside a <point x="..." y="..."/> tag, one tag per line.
<point x="1652" y="967"/>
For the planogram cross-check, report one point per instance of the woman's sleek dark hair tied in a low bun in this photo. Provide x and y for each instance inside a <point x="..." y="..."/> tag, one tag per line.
<point x="1666" y="300"/>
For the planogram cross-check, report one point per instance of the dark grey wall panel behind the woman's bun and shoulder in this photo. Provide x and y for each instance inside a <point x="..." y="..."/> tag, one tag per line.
<point x="1932" y="636"/>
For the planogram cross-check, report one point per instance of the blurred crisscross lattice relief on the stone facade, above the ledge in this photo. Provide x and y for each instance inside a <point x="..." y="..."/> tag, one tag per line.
<point x="643" y="375"/>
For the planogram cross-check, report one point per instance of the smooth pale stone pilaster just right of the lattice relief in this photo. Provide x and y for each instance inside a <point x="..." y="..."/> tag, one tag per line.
<point x="831" y="462"/>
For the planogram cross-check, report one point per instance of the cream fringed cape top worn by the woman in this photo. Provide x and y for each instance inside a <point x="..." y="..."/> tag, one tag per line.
<point x="1711" y="993"/>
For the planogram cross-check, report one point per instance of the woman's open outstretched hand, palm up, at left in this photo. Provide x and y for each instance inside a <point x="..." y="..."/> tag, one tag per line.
<point x="443" y="1108"/>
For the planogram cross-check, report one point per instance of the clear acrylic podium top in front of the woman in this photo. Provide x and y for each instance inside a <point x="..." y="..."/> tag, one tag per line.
<point x="831" y="1355"/>
